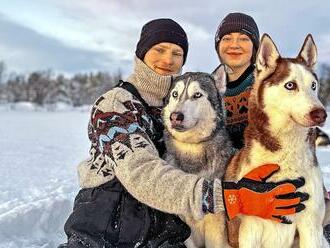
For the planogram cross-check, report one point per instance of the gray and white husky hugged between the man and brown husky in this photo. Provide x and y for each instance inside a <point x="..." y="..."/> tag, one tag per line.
<point x="197" y="142"/>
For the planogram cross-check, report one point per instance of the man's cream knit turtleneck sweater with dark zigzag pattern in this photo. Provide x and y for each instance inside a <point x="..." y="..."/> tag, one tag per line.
<point x="120" y="132"/>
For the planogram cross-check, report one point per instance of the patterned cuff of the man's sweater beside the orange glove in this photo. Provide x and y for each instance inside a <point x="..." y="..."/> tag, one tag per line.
<point x="212" y="201"/>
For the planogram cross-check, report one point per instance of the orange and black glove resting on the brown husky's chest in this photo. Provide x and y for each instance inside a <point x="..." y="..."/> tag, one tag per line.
<point x="252" y="195"/>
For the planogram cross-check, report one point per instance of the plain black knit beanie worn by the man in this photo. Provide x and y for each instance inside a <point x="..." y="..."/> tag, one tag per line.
<point x="161" y="30"/>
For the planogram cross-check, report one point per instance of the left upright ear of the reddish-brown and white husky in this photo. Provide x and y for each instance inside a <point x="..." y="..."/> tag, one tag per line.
<point x="267" y="57"/>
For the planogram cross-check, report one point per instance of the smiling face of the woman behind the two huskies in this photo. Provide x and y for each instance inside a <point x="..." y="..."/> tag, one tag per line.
<point x="235" y="50"/>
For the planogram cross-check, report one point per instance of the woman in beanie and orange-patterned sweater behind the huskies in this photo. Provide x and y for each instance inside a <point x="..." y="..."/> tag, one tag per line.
<point x="236" y="44"/>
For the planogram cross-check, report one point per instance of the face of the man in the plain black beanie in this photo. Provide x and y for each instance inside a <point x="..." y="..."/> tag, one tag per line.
<point x="164" y="58"/>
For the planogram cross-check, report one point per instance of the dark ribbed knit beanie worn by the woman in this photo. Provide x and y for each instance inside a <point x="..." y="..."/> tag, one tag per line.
<point x="241" y="23"/>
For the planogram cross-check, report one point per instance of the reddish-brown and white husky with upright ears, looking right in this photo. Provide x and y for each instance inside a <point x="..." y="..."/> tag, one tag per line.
<point x="282" y="130"/>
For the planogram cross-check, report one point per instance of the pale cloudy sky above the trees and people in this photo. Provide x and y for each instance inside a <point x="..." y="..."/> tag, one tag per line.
<point x="71" y="36"/>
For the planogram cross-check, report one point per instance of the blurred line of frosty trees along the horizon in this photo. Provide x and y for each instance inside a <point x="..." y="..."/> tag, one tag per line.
<point x="43" y="87"/>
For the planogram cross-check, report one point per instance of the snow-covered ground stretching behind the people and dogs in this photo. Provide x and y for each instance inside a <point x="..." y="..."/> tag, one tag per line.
<point x="38" y="157"/>
